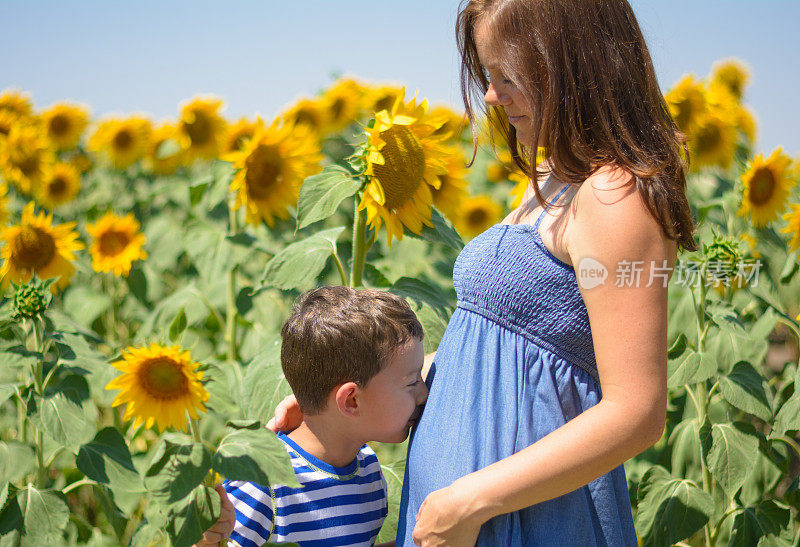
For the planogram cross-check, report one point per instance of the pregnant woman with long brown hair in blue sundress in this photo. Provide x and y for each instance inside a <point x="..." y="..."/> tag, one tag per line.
<point x="552" y="370"/>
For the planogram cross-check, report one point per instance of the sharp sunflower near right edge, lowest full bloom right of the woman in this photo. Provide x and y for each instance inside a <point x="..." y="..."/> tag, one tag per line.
<point x="767" y="184"/>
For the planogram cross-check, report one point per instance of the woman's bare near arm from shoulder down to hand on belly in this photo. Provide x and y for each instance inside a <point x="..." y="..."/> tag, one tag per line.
<point x="629" y="329"/>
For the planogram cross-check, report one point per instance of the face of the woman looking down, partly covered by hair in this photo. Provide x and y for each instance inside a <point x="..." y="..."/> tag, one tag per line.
<point x="503" y="92"/>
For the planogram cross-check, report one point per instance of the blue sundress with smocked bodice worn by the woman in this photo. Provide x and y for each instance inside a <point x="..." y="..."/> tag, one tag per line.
<point x="515" y="363"/>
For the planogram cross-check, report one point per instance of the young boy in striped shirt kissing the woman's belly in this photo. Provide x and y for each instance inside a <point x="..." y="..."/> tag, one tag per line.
<point x="353" y="359"/>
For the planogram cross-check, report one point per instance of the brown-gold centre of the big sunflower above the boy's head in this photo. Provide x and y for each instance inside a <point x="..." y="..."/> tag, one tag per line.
<point x="402" y="173"/>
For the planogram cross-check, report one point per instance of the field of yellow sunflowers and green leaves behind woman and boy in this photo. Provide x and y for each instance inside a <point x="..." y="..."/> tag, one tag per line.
<point x="146" y="269"/>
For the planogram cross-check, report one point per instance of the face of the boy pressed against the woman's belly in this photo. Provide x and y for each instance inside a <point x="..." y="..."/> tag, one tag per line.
<point x="391" y="399"/>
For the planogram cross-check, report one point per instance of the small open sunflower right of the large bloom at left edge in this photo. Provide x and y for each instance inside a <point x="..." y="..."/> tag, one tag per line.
<point x="117" y="243"/>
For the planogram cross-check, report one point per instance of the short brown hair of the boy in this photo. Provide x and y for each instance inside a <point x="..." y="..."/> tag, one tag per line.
<point x="338" y="334"/>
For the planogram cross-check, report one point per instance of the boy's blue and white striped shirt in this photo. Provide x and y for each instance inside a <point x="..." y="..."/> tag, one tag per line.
<point x="336" y="506"/>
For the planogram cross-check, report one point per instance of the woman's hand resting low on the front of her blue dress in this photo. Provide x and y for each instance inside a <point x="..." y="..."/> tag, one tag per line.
<point x="447" y="517"/>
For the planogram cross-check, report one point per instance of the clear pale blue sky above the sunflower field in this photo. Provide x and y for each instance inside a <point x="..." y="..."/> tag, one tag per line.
<point x="259" y="55"/>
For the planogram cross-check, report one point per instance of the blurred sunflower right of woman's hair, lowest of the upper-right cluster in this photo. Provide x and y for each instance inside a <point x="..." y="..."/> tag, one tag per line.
<point x="713" y="140"/>
